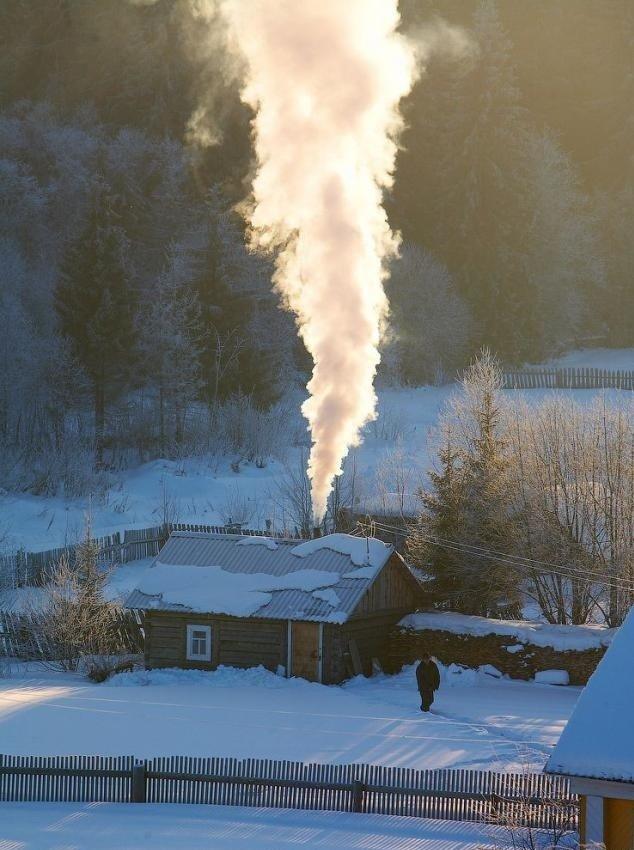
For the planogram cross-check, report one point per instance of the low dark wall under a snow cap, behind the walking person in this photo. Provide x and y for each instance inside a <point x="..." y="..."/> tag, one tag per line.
<point x="407" y="645"/>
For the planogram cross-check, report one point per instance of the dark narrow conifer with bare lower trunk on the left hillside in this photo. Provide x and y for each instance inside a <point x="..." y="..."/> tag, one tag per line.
<point x="94" y="302"/>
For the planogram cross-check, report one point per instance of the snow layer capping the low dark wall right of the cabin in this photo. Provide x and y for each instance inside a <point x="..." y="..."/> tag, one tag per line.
<point x="525" y="631"/>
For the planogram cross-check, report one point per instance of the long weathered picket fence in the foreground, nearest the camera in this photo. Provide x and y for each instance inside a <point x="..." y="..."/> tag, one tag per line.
<point x="524" y="799"/>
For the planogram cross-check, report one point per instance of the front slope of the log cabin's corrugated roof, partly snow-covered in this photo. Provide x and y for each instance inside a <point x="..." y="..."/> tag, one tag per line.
<point x="220" y="573"/>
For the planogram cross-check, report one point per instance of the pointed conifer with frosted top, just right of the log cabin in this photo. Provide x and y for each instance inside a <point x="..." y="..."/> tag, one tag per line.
<point x="467" y="515"/>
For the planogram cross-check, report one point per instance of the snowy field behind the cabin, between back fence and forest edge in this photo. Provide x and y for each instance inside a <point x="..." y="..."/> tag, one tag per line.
<point x="206" y="490"/>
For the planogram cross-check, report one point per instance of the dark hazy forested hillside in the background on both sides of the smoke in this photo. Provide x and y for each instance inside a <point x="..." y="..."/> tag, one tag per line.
<point x="128" y="302"/>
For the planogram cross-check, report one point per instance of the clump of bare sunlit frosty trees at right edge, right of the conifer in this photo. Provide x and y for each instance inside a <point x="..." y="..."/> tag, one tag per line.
<point x="573" y="489"/>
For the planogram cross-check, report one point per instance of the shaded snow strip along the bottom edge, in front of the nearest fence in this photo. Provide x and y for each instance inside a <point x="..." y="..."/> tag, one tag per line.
<point x="108" y="826"/>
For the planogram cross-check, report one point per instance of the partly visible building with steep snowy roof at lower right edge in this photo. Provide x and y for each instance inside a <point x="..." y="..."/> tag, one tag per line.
<point x="596" y="748"/>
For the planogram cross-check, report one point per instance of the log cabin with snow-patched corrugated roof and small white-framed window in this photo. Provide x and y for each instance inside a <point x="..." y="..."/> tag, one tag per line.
<point x="321" y="609"/>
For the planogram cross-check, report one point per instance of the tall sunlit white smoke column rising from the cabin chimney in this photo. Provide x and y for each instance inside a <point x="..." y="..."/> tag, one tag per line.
<point x="325" y="79"/>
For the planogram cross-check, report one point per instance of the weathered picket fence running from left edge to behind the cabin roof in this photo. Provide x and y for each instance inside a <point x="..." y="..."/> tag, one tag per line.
<point x="34" y="568"/>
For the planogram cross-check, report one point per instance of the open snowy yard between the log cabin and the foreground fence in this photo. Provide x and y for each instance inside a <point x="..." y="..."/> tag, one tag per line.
<point x="478" y="722"/>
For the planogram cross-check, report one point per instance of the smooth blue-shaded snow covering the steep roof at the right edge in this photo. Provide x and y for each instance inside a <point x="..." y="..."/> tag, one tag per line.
<point x="598" y="741"/>
